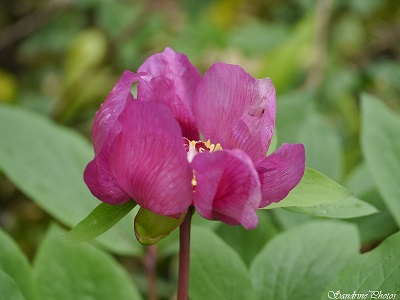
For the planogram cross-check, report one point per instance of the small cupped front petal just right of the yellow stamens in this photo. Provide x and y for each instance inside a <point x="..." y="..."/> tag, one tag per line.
<point x="227" y="187"/>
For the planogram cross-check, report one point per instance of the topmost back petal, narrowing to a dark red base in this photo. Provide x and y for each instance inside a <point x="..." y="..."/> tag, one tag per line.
<point x="174" y="83"/>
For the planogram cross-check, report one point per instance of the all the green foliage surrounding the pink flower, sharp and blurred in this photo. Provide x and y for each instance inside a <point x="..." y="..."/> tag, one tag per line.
<point x="66" y="60"/>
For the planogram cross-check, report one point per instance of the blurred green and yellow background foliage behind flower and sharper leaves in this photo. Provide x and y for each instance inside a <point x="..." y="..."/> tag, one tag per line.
<point x="60" y="58"/>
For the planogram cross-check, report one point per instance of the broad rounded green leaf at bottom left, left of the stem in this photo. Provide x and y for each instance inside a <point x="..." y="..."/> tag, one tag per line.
<point x="79" y="271"/>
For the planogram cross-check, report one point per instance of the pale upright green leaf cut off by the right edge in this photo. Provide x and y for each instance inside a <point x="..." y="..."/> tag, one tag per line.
<point x="380" y="144"/>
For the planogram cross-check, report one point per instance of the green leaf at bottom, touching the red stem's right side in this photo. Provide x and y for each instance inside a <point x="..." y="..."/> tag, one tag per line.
<point x="216" y="270"/>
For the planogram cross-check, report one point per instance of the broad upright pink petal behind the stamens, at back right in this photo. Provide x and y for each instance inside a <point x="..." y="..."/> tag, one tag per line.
<point x="236" y="110"/>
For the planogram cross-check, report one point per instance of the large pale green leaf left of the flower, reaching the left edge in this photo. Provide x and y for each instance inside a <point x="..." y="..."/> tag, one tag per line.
<point x="46" y="162"/>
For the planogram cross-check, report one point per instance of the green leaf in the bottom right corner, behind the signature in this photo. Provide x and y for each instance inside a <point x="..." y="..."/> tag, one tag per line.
<point x="378" y="270"/>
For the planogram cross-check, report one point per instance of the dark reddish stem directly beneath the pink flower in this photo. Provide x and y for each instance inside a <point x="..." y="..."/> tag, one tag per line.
<point x="184" y="256"/>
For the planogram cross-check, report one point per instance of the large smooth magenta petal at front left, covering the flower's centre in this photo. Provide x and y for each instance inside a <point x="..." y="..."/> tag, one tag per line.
<point x="148" y="159"/>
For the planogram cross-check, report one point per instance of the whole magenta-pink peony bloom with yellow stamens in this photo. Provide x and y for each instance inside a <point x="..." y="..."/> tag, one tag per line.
<point x="149" y="149"/>
